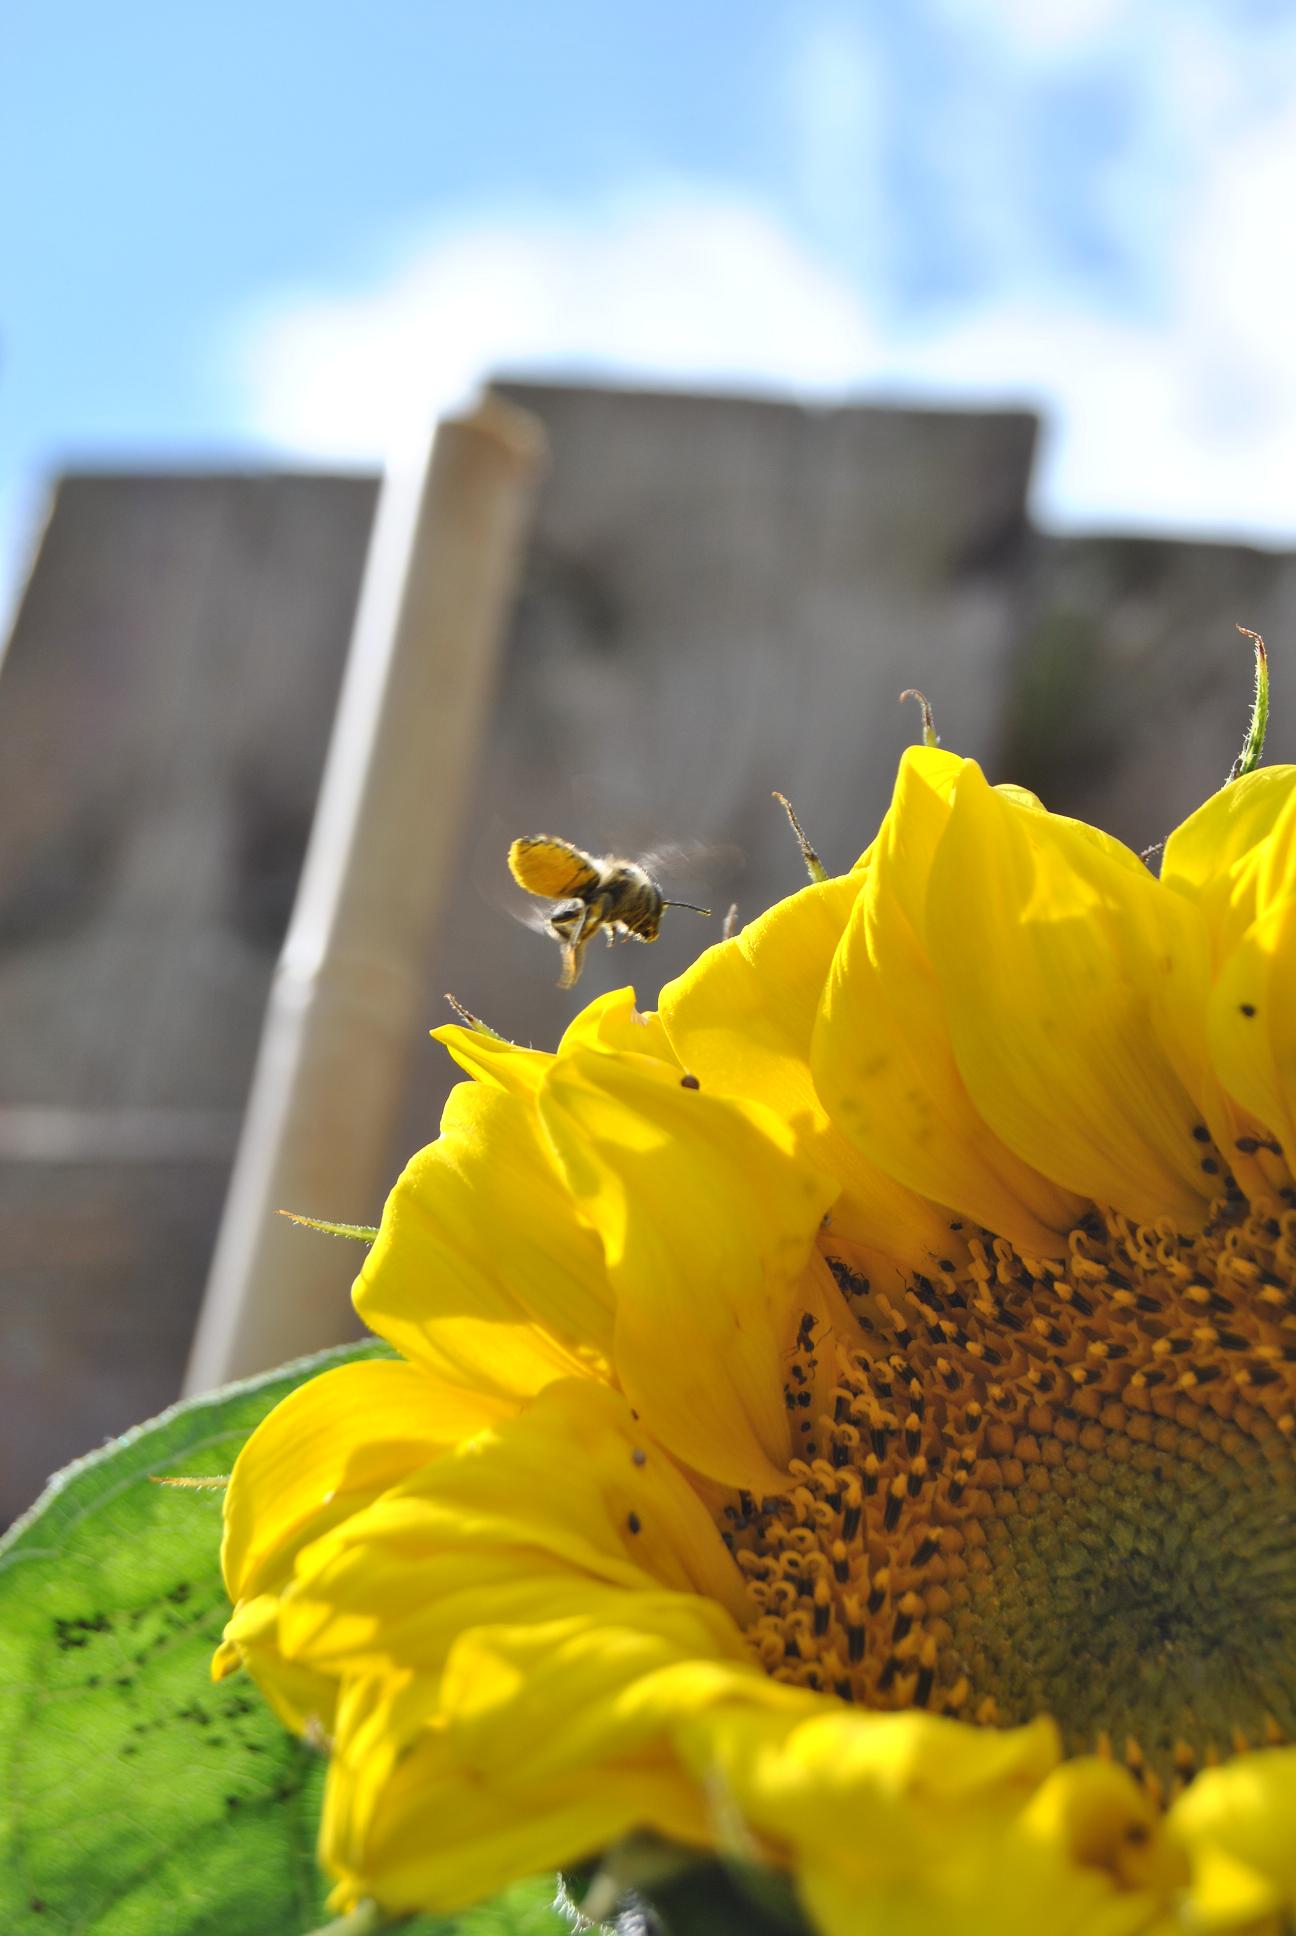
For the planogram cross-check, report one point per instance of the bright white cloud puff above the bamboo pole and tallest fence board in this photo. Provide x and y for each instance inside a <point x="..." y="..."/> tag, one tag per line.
<point x="671" y="287"/>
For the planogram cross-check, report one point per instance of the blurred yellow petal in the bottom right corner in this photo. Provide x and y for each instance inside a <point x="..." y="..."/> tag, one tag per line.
<point x="1237" y="1829"/>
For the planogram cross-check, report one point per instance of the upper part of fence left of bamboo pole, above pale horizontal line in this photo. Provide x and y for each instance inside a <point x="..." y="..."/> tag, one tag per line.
<point x="166" y="704"/>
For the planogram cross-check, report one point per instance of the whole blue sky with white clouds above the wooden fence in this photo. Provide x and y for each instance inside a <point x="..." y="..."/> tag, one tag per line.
<point x="297" y="231"/>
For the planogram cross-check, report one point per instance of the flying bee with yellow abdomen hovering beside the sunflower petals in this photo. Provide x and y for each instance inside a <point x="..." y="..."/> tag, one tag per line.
<point x="592" y="893"/>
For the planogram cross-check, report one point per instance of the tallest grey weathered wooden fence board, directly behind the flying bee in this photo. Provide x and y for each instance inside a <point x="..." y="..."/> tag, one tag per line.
<point x="727" y="597"/>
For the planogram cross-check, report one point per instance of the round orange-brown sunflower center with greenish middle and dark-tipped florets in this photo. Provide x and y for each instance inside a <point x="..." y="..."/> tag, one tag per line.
<point x="1053" y="1488"/>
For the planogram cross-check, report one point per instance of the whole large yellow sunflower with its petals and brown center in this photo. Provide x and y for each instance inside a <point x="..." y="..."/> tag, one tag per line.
<point x="844" y="1420"/>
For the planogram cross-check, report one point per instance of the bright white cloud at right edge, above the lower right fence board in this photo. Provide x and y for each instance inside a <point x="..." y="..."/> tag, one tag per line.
<point x="1188" y="415"/>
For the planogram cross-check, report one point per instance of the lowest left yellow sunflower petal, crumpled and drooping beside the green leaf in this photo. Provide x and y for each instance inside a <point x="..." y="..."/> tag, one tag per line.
<point x="445" y="1792"/>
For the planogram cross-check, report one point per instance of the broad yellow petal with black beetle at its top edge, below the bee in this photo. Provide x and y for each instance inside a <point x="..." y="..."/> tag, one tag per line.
<point x="708" y="1215"/>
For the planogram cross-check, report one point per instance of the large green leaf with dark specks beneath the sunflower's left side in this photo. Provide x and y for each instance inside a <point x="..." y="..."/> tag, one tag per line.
<point x="139" y="1798"/>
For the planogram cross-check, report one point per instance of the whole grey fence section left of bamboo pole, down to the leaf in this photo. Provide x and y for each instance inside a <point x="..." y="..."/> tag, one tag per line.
<point x="164" y="713"/>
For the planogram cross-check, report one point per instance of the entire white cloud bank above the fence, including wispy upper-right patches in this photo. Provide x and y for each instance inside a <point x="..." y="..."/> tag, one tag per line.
<point x="1175" y="409"/>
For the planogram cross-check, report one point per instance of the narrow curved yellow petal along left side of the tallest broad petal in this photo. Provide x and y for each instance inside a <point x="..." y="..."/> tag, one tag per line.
<point x="882" y="1054"/>
